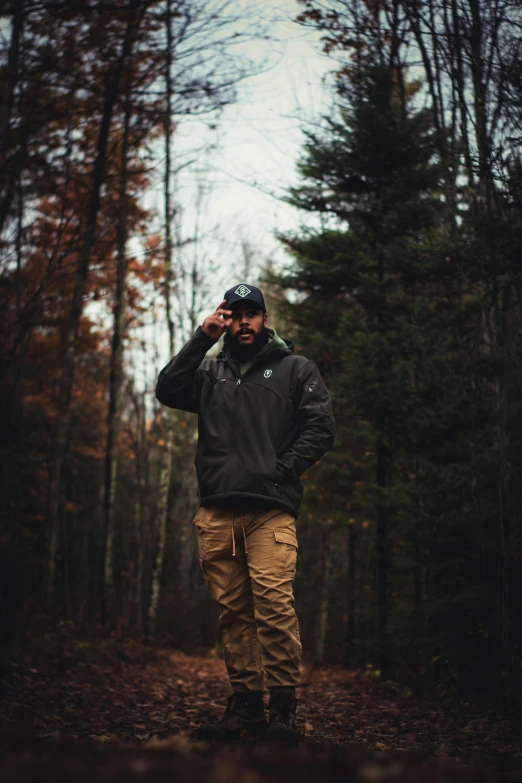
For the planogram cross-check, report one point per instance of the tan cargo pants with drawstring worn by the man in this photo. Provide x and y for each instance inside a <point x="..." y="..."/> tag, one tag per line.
<point x="248" y="558"/>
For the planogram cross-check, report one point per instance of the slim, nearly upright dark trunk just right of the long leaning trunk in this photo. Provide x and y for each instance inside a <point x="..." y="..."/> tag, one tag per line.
<point x="113" y="418"/>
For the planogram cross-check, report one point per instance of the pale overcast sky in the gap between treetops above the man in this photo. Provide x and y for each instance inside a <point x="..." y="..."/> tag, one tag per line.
<point x="259" y="138"/>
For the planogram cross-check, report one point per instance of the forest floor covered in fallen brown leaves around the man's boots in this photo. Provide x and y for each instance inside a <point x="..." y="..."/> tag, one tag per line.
<point x="120" y="712"/>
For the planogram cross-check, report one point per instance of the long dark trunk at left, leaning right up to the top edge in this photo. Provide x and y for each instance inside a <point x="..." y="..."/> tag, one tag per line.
<point x="66" y="381"/>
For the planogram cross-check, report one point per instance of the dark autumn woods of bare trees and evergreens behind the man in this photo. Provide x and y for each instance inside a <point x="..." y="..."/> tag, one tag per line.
<point x="402" y="280"/>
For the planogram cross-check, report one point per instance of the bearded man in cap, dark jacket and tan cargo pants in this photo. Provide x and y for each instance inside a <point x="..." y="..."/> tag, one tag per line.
<point x="264" y="417"/>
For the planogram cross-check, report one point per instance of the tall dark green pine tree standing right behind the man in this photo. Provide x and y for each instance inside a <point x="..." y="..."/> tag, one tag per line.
<point x="376" y="309"/>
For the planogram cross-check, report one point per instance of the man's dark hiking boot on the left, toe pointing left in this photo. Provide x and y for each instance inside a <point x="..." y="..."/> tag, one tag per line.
<point x="244" y="714"/>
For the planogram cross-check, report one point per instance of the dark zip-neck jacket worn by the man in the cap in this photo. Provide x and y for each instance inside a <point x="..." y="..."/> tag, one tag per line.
<point x="259" y="432"/>
